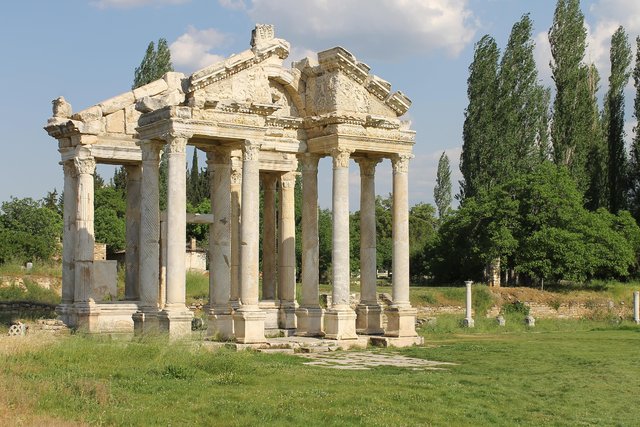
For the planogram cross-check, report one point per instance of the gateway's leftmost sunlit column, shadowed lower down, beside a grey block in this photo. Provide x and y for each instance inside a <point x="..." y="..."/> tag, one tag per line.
<point x="84" y="306"/>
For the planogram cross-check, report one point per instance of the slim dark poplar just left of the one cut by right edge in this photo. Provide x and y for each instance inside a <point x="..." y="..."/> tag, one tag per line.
<point x="617" y="160"/>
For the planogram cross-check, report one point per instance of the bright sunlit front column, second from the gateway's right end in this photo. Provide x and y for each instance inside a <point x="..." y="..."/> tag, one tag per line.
<point x="340" y="319"/>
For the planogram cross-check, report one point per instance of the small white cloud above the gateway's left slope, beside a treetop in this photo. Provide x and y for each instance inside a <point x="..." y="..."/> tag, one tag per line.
<point x="192" y="50"/>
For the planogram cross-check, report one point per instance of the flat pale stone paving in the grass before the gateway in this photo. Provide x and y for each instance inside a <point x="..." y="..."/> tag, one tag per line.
<point x="368" y="360"/>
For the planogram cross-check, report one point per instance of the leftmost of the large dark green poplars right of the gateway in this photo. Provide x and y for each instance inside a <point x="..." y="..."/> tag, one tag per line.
<point x="478" y="162"/>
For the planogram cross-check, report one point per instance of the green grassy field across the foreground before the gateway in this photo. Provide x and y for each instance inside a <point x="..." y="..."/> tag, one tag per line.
<point x="560" y="373"/>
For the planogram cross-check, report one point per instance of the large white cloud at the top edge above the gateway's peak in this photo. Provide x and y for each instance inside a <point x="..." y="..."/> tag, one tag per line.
<point x="384" y="29"/>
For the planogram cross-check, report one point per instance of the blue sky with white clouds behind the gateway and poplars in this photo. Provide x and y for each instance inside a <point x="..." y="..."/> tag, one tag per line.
<point x="86" y="51"/>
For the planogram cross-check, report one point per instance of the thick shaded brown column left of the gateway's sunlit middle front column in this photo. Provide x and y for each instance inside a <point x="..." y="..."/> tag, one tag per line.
<point x="220" y="312"/>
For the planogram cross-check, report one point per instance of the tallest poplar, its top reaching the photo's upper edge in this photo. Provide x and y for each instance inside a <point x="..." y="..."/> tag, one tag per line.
<point x="571" y="121"/>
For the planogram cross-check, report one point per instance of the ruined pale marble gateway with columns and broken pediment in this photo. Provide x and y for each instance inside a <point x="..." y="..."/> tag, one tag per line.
<point x="256" y="120"/>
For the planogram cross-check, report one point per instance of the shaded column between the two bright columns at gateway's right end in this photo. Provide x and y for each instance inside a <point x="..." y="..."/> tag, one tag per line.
<point x="369" y="312"/>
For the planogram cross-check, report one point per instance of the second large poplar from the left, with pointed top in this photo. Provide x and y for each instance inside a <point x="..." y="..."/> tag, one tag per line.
<point x="523" y="105"/>
